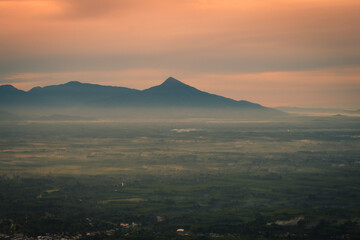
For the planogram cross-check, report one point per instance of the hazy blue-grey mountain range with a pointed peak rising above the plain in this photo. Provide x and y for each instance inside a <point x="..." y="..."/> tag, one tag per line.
<point x="170" y="94"/>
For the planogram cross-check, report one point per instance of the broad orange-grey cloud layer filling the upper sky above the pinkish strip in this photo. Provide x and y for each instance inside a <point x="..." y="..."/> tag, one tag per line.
<point x="218" y="36"/>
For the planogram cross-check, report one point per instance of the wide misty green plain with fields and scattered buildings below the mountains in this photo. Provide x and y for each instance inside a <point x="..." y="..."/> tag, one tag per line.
<point x="213" y="179"/>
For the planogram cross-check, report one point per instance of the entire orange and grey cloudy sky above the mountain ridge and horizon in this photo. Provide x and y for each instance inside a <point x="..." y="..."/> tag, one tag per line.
<point x="273" y="52"/>
